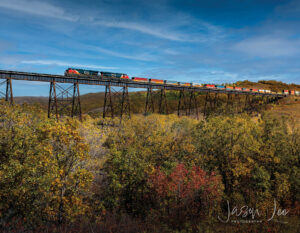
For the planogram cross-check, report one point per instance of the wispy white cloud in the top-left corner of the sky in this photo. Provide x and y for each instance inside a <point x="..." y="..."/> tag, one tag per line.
<point x="39" y="8"/>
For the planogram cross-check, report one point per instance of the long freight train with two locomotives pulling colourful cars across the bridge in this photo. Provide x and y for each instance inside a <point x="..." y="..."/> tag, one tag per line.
<point x="91" y="73"/>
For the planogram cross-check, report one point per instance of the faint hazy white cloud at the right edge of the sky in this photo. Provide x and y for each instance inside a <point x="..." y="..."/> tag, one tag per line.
<point x="269" y="47"/>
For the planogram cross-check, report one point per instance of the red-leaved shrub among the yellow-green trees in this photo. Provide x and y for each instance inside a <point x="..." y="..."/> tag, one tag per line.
<point x="185" y="194"/>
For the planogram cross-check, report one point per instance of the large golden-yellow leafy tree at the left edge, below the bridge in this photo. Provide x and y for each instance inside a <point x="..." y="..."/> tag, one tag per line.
<point x="42" y="174"/>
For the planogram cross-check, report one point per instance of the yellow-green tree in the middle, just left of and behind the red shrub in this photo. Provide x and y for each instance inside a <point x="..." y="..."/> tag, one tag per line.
<point x="136" y="148"/>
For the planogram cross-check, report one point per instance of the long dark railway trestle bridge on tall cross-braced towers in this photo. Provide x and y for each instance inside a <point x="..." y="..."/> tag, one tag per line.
<point x="117" y="102"/>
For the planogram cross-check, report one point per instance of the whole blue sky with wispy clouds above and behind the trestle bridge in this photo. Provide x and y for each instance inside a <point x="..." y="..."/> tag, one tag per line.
<point x="194" y="41"/>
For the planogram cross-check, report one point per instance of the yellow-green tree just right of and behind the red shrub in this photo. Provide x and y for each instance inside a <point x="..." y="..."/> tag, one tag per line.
<point x="230" y="145"/>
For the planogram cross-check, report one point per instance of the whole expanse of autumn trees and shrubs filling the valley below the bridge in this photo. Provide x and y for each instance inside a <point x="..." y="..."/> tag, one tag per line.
<point x="158" y="173"/>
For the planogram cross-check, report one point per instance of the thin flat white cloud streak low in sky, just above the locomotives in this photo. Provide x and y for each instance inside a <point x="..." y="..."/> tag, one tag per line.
<point x="66" y="64"/>
